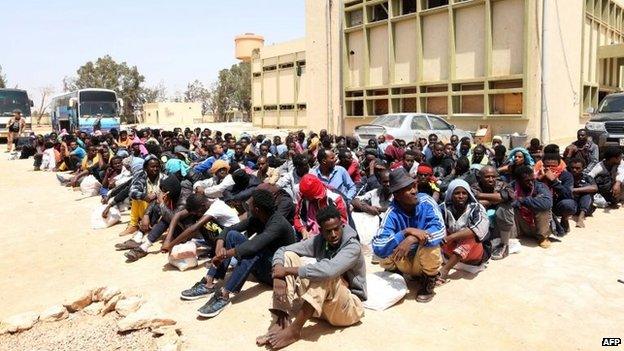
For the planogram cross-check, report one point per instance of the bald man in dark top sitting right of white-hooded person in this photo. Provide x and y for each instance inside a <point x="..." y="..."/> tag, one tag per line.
<point x="497" y="196"/>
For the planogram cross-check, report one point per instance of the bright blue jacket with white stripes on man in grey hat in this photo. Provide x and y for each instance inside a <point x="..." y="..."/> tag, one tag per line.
<point x="426" y="216"/>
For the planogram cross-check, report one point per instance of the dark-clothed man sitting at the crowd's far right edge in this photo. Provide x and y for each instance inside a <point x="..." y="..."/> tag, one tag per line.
<point x="609" y="175"/>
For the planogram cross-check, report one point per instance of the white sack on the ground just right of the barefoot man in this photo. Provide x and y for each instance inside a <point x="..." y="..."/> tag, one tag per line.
<point x="384" y="290"/>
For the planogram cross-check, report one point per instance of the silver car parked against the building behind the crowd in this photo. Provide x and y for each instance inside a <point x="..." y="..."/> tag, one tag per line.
<point x="408" y="126"/>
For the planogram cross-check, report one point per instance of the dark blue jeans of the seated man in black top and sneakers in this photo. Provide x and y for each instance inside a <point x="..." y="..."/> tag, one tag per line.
<point x="260" y="265"/>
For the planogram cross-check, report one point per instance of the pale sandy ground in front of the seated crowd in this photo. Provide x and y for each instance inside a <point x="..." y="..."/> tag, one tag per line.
<point x="564" y="298"/>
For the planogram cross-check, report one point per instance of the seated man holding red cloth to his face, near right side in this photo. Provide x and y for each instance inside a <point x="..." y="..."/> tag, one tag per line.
<point x="554" y="175"/>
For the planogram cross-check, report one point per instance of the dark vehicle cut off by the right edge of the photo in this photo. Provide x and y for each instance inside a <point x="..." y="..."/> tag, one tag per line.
<point x="606" y="124"/>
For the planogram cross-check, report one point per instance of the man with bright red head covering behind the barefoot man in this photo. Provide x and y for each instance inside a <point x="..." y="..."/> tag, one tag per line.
<point x="314" y="196"/>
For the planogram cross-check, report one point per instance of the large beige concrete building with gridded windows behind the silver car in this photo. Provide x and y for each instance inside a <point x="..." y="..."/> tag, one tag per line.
<point x="473" y="62"/>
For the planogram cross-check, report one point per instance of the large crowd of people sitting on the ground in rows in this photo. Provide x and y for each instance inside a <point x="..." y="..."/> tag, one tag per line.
<point x="300" y="214"/>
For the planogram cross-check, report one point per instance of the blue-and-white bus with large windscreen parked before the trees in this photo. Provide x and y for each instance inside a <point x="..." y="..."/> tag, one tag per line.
<point x="86" y="110"/>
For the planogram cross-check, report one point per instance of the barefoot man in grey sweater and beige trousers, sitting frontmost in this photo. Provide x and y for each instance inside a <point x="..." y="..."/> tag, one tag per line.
<point x="332" y="288"/>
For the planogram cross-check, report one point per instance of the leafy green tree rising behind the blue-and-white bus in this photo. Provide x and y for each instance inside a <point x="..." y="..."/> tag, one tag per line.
<point x="105" y="73"/>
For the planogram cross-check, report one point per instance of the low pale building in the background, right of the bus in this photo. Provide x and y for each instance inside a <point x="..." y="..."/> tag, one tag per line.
<point x="172" y="113"/>
